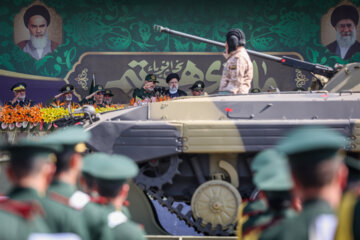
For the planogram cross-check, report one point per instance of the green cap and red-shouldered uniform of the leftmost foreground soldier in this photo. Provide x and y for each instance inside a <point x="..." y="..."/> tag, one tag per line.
<point x="21" y="213"/>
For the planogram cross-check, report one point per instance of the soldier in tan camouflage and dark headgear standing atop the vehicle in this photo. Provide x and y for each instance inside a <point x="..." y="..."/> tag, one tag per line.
<point x="238" y="69"/>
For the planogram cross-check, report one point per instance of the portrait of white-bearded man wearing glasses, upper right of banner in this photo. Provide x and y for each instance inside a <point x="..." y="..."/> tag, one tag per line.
<point x="345" y="19"/>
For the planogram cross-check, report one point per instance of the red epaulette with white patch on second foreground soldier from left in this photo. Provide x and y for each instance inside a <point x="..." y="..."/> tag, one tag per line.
<point x="77" y="201"/>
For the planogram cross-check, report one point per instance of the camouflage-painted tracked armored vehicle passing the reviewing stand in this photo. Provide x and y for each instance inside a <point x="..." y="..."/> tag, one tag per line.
<point x="197" y="150"/>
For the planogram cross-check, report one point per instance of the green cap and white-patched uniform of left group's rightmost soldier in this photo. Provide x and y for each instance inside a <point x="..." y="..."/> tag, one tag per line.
<point x="115" y="169"/>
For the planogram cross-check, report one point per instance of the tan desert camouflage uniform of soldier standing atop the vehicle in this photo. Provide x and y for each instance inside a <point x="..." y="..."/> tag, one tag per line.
<point x="238" y="73"/>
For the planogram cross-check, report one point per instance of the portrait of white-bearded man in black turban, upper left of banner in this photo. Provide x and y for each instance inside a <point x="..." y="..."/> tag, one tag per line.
<point x="37" y="20"/>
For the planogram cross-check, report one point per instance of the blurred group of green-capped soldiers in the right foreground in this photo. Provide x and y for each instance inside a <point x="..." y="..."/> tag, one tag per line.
<point x="308" y="189"/>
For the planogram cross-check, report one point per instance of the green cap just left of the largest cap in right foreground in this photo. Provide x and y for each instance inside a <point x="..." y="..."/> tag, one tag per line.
<point x="275" y="174"/>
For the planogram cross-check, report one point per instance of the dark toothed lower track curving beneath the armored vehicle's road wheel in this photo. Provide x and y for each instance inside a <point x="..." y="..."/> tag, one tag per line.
<point x="207" y="230"/>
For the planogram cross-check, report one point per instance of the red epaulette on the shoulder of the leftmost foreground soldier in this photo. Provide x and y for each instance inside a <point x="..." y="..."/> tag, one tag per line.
<point x="25" y="210"/>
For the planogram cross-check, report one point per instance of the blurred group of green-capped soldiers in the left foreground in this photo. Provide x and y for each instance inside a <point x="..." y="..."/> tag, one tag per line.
<point x="45" y="201"/>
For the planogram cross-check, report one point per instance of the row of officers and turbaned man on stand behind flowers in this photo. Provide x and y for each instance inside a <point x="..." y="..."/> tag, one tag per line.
<point x="101" y="97"/>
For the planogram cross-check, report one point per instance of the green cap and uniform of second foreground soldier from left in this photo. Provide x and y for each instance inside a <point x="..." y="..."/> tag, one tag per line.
<point x="74" y="211"/>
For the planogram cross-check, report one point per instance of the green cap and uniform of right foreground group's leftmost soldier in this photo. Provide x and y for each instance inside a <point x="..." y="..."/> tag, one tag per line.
<point x="275" y="182"/>
